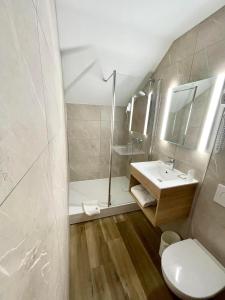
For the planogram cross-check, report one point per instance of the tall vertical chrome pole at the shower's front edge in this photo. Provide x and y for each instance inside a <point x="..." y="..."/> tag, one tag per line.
<point x="112" y="131"/>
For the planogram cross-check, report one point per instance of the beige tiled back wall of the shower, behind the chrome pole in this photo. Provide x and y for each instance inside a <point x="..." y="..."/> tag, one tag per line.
<point x="89" y="131"/>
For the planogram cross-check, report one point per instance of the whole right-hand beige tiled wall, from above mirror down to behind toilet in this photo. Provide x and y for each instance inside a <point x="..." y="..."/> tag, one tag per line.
<point x="198" y="54"/>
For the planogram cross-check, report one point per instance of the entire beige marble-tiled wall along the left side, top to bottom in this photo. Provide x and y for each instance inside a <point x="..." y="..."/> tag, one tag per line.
<point x="33" y="172"/>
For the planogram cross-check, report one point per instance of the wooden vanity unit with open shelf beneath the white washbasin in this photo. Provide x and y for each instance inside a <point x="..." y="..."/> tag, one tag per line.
<point x="172" y="203"/>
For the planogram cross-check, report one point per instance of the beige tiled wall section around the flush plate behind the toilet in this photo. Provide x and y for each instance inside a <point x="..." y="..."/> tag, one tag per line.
<point x="208" y="224"/>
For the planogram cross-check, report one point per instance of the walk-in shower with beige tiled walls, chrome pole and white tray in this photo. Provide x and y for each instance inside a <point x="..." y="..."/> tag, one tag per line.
<point x="102" y="144"/>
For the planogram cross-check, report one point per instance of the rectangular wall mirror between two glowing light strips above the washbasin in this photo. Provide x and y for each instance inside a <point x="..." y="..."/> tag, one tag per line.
<point x="187" y="111"/>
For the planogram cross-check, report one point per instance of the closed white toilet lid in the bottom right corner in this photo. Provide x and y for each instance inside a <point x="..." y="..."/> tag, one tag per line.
<point x="192" y="270"/>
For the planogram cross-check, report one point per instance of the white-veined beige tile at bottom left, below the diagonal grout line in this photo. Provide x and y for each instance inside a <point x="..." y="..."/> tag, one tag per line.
<point x="31" y="242"/>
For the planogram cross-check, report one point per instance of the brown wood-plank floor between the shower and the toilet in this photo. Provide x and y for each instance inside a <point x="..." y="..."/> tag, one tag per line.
<point x="116" y="258"/>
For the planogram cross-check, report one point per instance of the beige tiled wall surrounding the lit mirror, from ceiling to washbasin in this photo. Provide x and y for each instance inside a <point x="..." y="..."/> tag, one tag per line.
<point x="200" y="59"/>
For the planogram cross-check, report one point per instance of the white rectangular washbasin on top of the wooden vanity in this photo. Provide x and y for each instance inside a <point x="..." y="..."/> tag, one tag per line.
<point x="161" y="175"/>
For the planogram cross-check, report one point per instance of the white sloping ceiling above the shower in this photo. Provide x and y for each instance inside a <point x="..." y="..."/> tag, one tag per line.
<point x="131" y="36"/>
